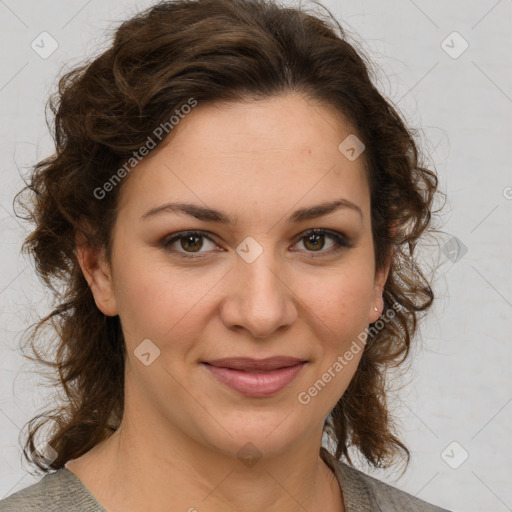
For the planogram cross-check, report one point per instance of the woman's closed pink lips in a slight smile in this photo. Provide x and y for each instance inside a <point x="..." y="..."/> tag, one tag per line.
<point x="256" y="378"/>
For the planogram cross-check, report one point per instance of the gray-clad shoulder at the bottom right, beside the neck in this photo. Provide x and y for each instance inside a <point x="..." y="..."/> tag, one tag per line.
<point x="364" y="493"/>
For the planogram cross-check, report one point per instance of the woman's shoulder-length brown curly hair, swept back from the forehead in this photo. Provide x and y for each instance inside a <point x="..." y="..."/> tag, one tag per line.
<point x="104" y="110"/>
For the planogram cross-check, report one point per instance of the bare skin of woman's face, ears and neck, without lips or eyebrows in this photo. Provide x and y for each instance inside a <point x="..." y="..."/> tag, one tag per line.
<point x="181" y="431"/>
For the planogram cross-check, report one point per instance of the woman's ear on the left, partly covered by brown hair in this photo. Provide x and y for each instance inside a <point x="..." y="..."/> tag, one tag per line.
<point x="98" y="275"/>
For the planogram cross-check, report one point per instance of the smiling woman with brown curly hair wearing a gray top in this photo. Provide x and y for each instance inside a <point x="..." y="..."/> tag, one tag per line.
<point x="226" y="213"/>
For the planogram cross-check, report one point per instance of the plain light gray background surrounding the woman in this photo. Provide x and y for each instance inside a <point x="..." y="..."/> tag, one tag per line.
<point x="459" y="385"/>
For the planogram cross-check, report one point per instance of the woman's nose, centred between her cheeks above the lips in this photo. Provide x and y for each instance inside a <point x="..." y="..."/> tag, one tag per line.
<point x="258" y="298"/>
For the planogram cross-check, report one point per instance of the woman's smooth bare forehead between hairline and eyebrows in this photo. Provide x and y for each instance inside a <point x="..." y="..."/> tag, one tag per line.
<point x="278" y="151"/>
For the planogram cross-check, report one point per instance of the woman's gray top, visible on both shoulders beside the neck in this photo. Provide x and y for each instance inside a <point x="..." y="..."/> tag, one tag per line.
<point x="64" y="491"/>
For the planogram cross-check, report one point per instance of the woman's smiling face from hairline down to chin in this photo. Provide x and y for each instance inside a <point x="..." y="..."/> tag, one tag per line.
<point x="255" y="286"/>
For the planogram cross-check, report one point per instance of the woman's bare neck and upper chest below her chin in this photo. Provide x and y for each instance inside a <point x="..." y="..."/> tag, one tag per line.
<point x="142" y="468"/>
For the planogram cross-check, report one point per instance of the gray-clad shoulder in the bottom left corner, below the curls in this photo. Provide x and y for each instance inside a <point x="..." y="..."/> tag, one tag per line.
<point x="57" y="491"/>
